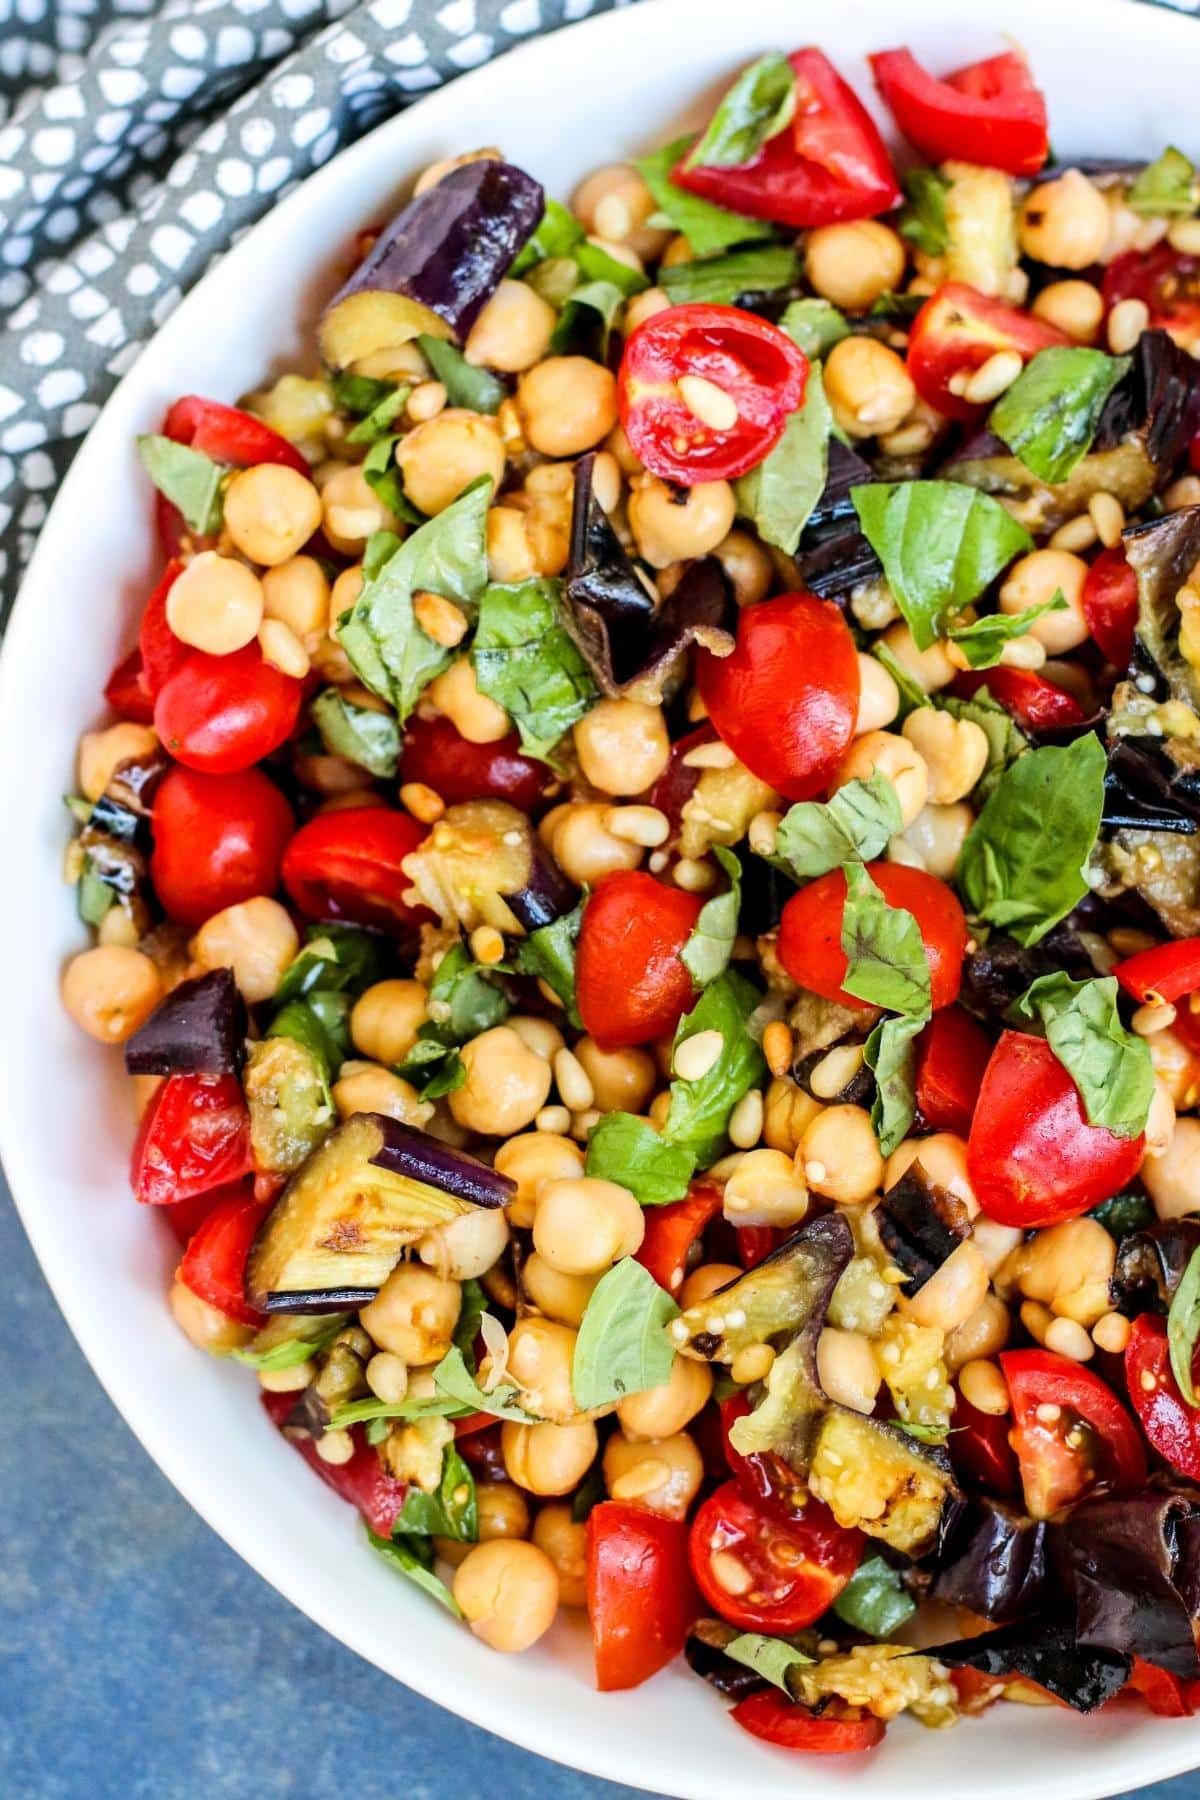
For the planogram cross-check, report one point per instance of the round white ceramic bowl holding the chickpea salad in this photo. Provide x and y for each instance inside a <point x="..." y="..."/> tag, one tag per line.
<point x="1120" y="80"/>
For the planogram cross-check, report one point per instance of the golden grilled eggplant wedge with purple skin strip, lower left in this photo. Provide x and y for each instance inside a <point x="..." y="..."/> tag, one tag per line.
<point x="339" y="1228"/>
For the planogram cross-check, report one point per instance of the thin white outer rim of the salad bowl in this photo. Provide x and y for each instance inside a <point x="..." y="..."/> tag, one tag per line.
<point x="609" y="1756"/>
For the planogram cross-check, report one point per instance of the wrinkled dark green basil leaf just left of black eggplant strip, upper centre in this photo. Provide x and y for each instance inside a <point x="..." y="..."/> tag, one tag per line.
<point x="528" y="665"/>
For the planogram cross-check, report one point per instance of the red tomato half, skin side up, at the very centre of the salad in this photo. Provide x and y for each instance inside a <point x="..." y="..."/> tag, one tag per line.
<point x="631" y="982"/>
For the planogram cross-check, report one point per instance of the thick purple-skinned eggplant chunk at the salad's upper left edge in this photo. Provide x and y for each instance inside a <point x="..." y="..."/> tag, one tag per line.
<point x="438" y="264"/>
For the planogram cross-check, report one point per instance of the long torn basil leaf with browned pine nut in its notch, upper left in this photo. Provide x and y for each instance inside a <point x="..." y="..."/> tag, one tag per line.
<point x="381" y="636"/>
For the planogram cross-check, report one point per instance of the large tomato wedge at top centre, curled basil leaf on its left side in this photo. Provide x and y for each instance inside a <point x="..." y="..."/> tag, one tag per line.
<point x="828" y="166"/>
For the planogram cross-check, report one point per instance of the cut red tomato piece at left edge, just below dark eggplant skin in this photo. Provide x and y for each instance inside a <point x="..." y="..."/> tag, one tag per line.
<point x="195" y="1135"/>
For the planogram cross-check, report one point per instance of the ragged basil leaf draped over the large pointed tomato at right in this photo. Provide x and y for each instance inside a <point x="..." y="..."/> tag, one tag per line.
<point x="1109" y="1065"/>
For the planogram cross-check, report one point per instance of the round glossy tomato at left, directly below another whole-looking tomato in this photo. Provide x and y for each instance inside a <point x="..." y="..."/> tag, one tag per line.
<point x="219" y="840"/>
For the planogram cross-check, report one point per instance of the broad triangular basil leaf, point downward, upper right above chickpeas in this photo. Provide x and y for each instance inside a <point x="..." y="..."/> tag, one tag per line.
<point x="940" y="543"/>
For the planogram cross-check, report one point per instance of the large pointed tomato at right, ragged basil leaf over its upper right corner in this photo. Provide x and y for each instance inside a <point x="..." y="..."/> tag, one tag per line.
<point x="1032" y="1156"/>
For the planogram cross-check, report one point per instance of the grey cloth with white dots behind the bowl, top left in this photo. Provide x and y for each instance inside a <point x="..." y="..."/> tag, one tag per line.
<point x="139" y="139"/>
